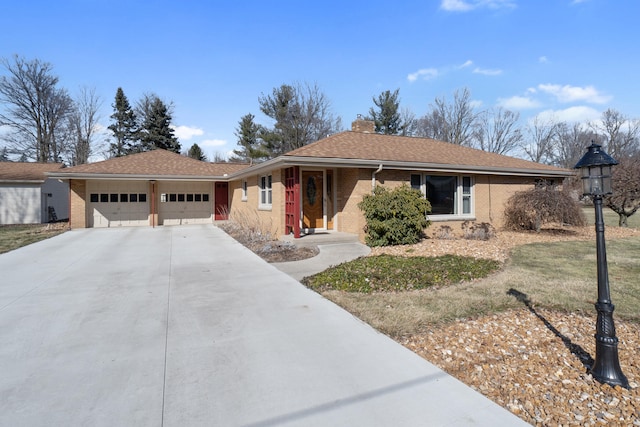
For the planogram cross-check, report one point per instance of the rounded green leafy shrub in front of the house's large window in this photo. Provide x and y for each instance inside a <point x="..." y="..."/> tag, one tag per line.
<point x="394" y="217"/>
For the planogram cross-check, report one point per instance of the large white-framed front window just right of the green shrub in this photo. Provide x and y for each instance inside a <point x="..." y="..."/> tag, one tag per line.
<point x="449" y="195"/>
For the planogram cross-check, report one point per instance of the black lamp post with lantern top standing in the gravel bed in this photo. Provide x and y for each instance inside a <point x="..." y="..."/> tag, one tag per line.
<point x="595" y="171"/>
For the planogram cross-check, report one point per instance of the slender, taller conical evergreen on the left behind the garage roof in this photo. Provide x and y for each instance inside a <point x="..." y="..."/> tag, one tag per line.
<point x="124" y="126"/>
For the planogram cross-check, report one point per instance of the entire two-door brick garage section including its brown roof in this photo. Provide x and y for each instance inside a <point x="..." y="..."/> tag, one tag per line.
<point x="148" y="189"/>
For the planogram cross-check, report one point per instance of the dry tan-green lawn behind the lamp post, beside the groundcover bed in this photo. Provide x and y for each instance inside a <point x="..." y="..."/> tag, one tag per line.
<point x="557" y="272"/>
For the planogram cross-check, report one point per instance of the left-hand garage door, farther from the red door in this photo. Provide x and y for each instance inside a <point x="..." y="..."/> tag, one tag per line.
<point x="118" y="203"/>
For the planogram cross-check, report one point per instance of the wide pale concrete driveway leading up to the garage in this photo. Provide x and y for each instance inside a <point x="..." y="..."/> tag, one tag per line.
<point x="182" y="326"/>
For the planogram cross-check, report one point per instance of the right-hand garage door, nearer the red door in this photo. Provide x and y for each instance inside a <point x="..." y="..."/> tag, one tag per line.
<point x="185" y="203"/>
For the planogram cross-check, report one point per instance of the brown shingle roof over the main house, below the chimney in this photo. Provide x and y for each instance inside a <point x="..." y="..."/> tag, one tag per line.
<point x="371" y="146"/>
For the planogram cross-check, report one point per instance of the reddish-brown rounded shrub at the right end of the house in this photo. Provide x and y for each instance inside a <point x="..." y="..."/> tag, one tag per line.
<point x="529" y="210"/>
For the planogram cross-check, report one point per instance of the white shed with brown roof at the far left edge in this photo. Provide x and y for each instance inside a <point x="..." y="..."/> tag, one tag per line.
<point x="27" y="196"/>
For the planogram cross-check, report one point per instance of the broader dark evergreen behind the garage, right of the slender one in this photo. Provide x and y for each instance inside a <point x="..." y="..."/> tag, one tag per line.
<point x="156" y="131"/>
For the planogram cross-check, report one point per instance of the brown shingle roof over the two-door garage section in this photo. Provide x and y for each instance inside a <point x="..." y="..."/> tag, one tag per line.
<point x="156" y="163"/>
